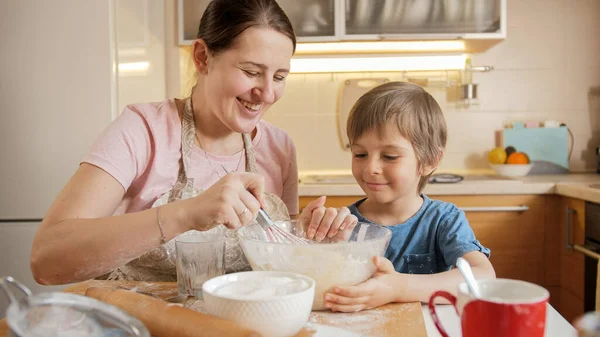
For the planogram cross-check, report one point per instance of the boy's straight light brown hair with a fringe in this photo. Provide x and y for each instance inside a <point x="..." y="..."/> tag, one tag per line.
<point x="414" y="111"/>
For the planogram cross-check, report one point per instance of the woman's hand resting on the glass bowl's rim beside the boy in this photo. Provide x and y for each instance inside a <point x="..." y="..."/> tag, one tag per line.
<point x="322" y="222"/>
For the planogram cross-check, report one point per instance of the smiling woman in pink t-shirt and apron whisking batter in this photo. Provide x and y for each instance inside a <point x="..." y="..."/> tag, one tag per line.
<point x="150" y="175"/>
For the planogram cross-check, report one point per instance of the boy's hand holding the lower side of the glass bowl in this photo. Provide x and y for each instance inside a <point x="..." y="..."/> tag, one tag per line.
<point x="375" y="292"/>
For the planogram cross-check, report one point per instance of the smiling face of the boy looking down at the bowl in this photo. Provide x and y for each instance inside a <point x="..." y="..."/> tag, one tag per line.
<point x="386" y="168"/>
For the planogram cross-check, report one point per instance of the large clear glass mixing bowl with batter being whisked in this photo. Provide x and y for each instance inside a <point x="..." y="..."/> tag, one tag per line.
<point x="346" y="259"/>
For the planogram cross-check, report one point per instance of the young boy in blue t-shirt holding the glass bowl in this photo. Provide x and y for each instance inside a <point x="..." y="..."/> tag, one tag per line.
<point x="397" y="135"/>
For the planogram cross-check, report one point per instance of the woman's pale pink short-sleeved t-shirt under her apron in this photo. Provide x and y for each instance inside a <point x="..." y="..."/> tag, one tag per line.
<point x="141" y="150"/>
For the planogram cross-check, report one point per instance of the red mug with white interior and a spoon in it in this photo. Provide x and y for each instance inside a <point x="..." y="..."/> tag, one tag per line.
<point x="506" y="308"/>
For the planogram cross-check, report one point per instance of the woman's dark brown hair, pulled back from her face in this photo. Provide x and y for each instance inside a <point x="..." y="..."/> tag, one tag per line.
<point x="224" y="20"/>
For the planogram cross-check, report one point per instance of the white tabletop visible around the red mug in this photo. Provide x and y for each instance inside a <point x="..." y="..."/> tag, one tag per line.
<point x="556" y="325"/>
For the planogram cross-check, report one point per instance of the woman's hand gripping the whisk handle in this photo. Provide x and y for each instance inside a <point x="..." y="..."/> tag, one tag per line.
<point x="233" y="201"/>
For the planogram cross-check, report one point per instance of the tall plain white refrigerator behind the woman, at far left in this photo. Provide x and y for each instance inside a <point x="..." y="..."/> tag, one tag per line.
<point x="57" y="93"/>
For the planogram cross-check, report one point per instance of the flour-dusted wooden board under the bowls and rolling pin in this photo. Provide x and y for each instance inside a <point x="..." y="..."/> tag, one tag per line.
<point x="398" y="319"/>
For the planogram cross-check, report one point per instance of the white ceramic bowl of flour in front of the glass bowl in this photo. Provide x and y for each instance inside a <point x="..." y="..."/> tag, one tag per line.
<point x="274" y="304"/>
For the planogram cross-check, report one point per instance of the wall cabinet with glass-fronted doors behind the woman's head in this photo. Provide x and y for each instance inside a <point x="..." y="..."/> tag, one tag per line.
<point x="374" y="20"/>
